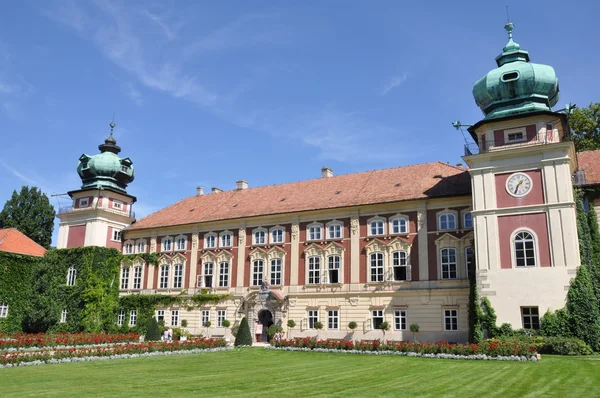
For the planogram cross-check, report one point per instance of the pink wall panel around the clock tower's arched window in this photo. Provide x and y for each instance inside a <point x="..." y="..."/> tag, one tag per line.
<point x="508" y="225"/>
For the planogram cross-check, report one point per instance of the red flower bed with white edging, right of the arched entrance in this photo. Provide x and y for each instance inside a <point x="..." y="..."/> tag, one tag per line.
<point x="487" y="349"/>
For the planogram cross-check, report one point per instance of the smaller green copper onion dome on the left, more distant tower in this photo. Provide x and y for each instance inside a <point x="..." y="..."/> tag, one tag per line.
<point x="106" y="169"/>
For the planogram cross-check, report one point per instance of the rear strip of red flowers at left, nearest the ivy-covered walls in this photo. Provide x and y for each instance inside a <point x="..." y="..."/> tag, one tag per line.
<point x="64" y="339"/>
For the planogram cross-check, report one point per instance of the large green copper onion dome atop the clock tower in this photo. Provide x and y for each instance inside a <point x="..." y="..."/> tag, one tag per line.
<point x="516" y="86"/>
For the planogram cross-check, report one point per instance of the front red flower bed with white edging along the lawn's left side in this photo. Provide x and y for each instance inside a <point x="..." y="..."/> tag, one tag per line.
<point x="119" y="350"/>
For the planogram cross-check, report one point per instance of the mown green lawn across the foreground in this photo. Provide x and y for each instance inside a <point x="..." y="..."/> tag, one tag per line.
<point x="258" y="372"/>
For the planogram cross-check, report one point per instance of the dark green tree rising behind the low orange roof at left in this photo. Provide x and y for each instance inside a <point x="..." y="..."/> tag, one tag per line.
<point x="31" y="213"/>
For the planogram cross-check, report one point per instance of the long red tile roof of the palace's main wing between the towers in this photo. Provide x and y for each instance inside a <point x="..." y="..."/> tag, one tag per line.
<point x="422" y="181"/>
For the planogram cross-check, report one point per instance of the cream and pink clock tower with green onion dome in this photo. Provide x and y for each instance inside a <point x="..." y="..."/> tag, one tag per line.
<point x="523" y="206"/>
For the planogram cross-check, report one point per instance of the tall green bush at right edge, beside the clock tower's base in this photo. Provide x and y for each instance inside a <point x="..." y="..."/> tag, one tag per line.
<point x="582" y="309"/>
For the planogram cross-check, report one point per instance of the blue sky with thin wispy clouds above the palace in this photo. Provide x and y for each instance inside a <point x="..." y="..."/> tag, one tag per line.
<point x="206" y="93"/>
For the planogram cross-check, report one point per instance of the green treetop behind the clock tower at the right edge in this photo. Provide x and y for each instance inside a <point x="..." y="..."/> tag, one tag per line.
<point x="585" y="127"/>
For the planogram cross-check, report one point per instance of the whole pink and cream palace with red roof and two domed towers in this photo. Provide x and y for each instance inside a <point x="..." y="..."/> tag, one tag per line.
<point x="391" y="245"/>
